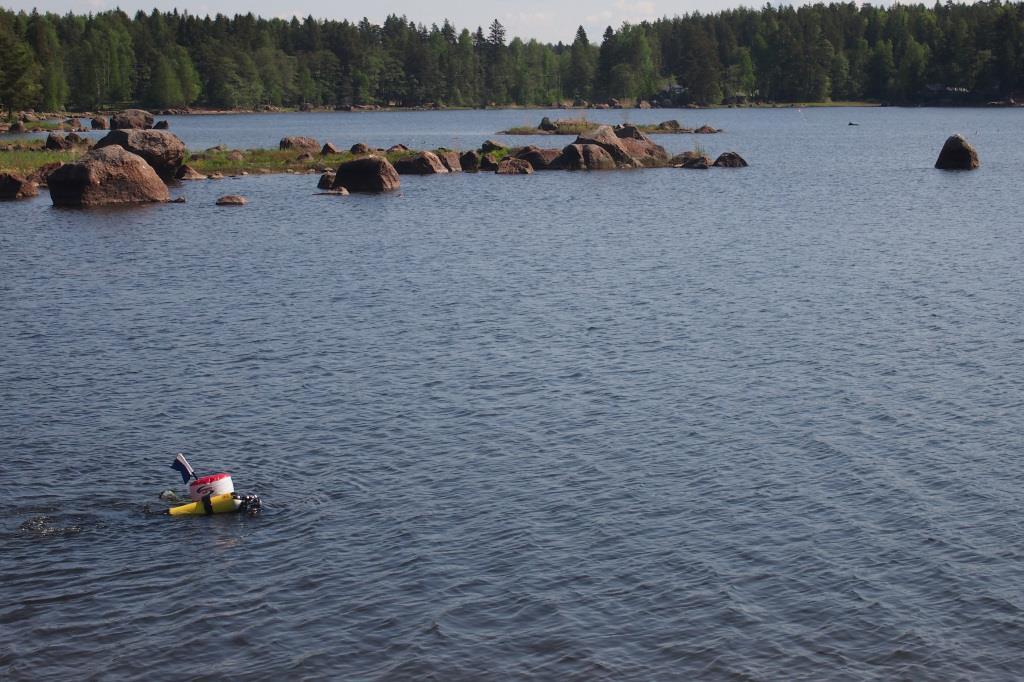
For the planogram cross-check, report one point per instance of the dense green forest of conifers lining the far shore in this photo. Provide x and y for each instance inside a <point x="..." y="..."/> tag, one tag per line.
<point x="902" y="55"/>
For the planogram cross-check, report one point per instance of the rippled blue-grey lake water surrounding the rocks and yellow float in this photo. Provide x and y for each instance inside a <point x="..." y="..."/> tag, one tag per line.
<point x="730" y="424"/>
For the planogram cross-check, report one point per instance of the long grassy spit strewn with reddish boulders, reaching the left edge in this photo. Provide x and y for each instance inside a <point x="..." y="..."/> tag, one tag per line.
<point x="139" y="159"/>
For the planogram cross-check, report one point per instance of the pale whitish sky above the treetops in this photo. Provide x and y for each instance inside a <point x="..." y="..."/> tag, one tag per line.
<point x="545" y="20"/>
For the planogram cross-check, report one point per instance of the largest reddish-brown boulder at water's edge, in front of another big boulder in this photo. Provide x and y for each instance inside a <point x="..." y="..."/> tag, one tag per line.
<point x="107" y="177"/>
